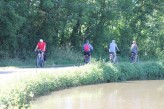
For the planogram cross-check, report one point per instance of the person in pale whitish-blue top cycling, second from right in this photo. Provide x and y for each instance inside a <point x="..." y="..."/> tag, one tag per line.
<point x="112" y="50"/>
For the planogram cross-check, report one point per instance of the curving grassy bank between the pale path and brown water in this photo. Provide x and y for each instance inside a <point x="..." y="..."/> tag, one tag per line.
<point x="22" y="91"/>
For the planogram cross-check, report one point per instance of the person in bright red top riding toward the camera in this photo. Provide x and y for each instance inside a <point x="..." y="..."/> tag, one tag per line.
<point x="41" y="45"/>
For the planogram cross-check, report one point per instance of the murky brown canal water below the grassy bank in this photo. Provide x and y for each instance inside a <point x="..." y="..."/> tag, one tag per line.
<point x="123" y="95"/>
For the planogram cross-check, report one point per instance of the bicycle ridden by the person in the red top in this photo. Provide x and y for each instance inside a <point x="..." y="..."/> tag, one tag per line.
<point x="39" y="58"/>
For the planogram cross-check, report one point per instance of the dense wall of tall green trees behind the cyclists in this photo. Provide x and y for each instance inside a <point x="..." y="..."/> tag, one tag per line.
<point x="69" y="23"/>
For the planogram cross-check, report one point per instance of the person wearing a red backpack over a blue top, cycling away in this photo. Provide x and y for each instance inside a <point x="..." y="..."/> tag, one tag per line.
<point x="87" y="48"/>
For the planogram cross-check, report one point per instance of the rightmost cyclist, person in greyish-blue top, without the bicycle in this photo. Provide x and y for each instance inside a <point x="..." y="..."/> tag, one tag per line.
<point x="134" y="50"/>
